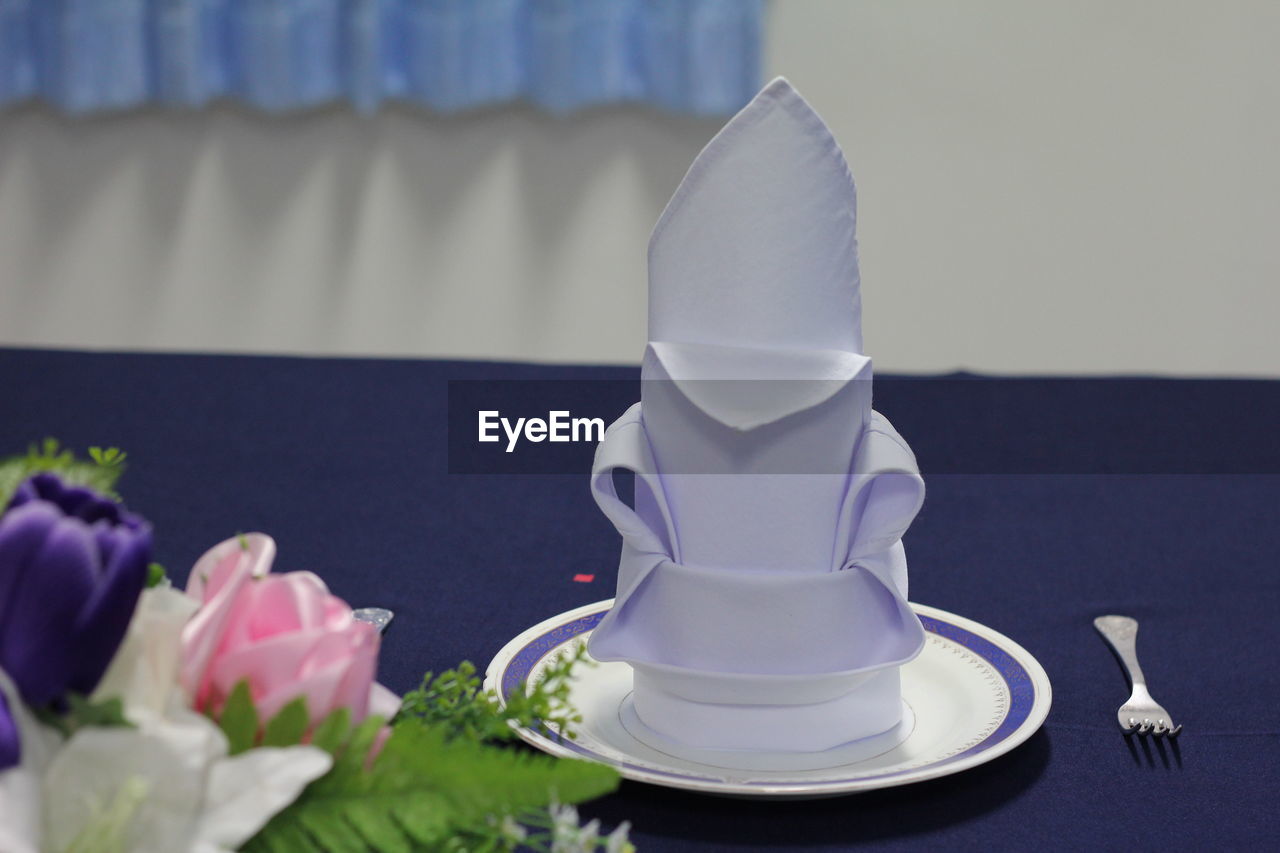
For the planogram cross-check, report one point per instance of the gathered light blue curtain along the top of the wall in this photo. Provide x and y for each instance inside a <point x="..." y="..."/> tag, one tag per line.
<point x="86" y="56"/>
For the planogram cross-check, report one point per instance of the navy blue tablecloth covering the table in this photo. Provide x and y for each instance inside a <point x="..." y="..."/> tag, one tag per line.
<point x="1052" y="501"/>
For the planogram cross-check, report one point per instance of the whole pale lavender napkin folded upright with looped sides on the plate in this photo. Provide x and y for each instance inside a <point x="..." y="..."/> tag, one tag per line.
<point x="762" y="586"/>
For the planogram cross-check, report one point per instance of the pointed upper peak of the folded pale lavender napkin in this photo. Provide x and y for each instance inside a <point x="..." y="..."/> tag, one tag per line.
<point x="757" y="247"/>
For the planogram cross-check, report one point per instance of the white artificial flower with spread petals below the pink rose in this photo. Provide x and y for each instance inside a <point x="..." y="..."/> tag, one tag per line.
<point x="166" y="786"/>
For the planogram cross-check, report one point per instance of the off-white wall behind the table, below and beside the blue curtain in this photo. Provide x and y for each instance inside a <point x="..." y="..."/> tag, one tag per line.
<point x="1044" y="188"/>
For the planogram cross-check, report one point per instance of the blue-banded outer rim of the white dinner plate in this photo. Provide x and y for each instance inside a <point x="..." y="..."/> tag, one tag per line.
<point x="1028" y="696"/>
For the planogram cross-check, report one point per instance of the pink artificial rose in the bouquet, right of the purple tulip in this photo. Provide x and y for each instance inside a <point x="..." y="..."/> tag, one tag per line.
<point x="285" y="633"/>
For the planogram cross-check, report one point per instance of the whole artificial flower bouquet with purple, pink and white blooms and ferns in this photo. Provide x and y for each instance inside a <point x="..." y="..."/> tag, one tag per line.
<point x="241" y="714"/>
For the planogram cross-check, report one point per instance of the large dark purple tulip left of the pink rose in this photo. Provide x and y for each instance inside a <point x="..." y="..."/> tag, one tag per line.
<point x="72" y="567"/>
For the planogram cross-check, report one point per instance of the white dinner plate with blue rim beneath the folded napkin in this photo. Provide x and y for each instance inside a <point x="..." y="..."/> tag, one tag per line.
<point x="975" y="696"/>
